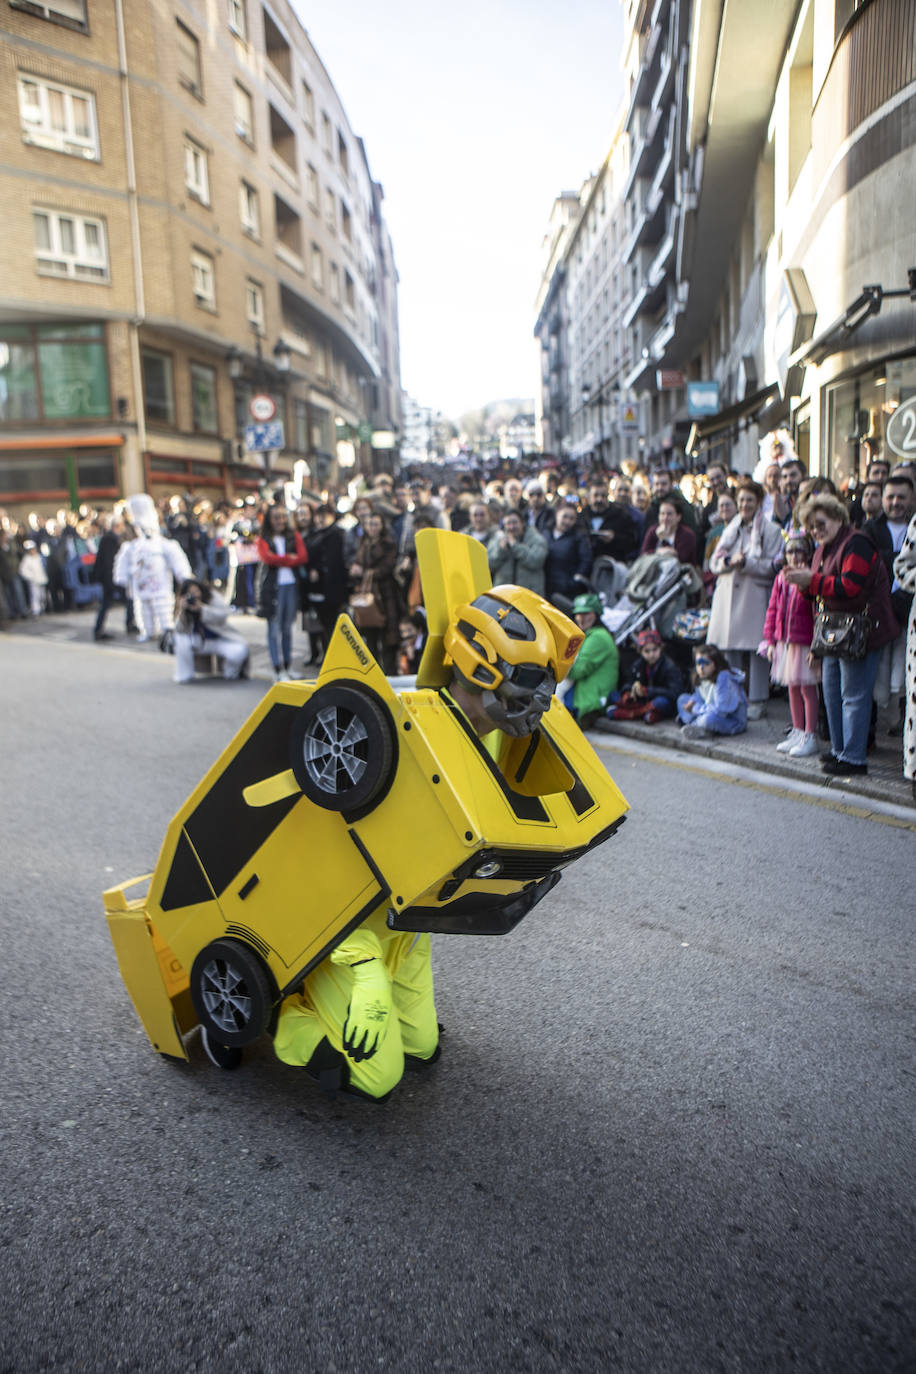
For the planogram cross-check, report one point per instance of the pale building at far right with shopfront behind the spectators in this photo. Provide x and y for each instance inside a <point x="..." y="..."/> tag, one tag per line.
<point x="803" y="263"/>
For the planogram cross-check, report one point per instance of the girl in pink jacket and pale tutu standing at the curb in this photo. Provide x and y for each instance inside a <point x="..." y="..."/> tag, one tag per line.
<point x="788" y="640"/>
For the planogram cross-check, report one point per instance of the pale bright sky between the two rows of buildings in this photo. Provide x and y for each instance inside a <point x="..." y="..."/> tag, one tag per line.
<point x="474" y="116"/>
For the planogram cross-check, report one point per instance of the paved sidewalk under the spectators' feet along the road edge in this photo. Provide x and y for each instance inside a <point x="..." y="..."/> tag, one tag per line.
<point x="755" y="750"/>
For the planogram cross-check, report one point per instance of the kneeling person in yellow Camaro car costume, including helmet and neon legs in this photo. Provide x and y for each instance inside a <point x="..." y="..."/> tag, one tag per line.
<point x="299" y="886"/>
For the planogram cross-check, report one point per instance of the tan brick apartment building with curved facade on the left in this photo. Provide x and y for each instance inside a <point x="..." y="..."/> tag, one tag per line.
<point x="190" y="221"/>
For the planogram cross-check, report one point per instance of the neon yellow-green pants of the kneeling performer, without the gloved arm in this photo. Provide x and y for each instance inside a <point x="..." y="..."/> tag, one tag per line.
<point x="319" y="1013"/>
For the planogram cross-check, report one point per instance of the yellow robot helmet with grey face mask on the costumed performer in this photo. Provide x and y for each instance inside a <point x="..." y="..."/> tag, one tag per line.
<point x="513" y="648"/>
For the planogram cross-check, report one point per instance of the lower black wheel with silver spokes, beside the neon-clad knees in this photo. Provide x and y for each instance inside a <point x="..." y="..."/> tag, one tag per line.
<point x="231" y="993"/>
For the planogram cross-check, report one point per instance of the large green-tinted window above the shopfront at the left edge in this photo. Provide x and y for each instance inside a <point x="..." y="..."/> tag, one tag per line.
<point x="53" y="373"/>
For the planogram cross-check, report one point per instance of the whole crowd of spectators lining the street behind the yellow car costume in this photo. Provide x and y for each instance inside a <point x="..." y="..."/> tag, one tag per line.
<point x="700" y="594"/>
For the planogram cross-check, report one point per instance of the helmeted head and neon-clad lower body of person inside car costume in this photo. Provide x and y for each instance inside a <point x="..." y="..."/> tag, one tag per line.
<point x="369" y="1009"/>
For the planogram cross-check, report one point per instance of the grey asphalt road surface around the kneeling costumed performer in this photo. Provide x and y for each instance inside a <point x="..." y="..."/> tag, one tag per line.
<point x="672" y="1127"/>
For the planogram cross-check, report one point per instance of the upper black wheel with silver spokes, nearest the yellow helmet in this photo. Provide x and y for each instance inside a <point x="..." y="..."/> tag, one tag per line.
<point x="343" y="750"/>
